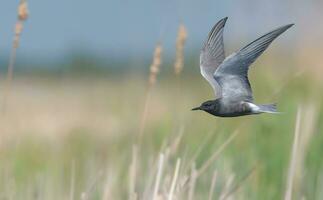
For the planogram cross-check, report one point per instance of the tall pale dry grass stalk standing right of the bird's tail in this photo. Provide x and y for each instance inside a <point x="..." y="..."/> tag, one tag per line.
<point x="293" y="161"/>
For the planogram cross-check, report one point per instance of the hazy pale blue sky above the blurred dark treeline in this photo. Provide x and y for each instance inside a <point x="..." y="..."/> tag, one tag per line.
<point x="123" y="27"/>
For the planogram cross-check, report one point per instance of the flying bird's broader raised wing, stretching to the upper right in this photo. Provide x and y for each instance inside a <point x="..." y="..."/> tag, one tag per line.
<point x="232" y="74"/>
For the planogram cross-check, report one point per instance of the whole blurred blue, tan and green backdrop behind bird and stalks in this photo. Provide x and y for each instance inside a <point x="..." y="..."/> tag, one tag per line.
<point x="73" y="114"/>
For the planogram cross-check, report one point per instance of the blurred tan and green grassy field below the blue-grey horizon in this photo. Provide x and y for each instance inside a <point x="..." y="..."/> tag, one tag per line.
<point x="72" y="137"/>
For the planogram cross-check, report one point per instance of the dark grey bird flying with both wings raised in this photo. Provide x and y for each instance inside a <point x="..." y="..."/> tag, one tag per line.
<point x="229" y="76"/>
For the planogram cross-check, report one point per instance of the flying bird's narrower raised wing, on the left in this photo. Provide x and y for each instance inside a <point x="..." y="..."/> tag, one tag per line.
<point x="212" y="54"/>
